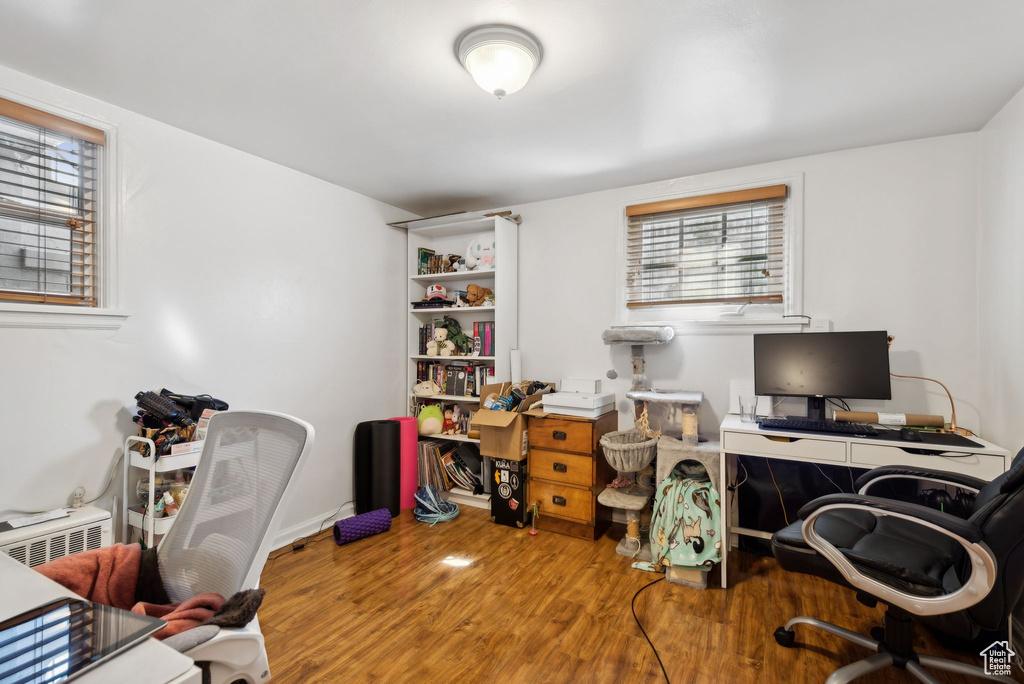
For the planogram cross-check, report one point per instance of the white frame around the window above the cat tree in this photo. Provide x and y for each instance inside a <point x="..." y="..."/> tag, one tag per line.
<point x="721" y="318"/>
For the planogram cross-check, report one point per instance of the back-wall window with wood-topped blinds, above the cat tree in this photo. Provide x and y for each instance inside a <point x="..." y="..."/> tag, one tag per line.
<point x="729" y="248"/>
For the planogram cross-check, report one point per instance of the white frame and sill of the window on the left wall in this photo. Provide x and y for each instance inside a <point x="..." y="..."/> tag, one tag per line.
<point x="107" y="315"/>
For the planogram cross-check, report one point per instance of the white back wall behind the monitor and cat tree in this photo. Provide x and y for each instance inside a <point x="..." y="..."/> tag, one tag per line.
<point x="889" y="242"/>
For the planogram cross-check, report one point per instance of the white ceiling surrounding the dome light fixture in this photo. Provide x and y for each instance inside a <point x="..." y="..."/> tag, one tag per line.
<point x="368" y="95"/>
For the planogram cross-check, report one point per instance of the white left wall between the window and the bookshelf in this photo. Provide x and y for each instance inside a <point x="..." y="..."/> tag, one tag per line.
<point x="246" y="280"/>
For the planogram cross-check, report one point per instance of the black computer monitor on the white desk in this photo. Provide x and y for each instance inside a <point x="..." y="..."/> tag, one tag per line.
<point x="852" y="366"/>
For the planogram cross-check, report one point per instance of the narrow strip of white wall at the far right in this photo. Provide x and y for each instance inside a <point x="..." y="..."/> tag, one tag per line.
<point x="1001" y="277"/>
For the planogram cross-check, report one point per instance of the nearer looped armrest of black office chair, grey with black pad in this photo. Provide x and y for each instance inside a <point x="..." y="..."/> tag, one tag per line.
<point x="974" y="589"/>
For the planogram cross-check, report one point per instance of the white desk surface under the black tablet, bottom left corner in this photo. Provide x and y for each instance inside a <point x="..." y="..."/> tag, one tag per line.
<point x="150" y="663"/>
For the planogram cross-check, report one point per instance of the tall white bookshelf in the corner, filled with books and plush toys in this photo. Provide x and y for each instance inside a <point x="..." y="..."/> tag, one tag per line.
<point x="452" y="235"/>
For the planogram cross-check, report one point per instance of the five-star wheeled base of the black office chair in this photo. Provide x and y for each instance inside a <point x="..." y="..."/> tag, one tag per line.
<point x="893" y="652"/>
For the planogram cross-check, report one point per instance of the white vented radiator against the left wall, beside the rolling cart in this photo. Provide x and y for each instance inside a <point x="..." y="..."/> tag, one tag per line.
<point x="86" y="529"/>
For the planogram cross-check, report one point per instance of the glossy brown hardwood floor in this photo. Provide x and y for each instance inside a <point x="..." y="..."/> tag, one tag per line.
<point x="470" y="602"/>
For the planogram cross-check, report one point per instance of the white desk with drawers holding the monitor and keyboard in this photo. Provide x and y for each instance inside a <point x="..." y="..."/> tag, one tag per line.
<point x="741" y="439"/>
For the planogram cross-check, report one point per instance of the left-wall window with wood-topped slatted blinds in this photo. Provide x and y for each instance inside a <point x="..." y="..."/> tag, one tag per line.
<point x="50" y="207"/>
